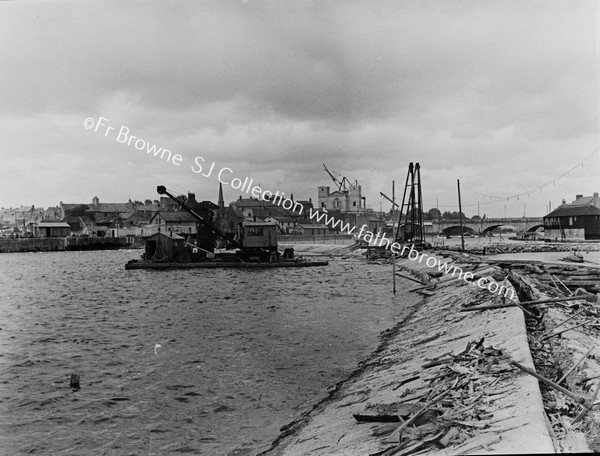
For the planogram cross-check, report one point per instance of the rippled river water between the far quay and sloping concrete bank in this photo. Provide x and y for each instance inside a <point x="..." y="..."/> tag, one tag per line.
<point x="175" y="362"/>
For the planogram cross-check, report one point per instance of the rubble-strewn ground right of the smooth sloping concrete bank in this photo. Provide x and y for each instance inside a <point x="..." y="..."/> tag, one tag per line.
<point x="563" y="341"/>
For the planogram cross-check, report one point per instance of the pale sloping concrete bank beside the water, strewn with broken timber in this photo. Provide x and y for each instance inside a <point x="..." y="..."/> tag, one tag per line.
<point x="448" y="370"/>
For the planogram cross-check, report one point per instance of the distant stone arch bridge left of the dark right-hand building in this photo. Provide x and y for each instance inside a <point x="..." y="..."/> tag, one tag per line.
<point x="484" y="226"/>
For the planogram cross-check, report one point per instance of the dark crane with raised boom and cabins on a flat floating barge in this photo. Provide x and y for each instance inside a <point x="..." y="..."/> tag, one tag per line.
<point x="255" y="245"/>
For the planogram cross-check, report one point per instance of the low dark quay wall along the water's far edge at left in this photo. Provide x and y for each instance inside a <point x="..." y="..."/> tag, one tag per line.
<point x="62" y="244"/>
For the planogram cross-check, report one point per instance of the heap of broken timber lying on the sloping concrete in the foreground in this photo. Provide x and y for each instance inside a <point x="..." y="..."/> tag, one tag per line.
<point x="456" y="402"/>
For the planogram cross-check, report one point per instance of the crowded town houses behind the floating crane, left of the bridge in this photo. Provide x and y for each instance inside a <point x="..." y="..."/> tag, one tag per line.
<point x="143" y="219"/>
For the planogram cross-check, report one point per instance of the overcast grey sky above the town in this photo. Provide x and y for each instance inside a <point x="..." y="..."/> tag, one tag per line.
<point x="502" y="95"/>
